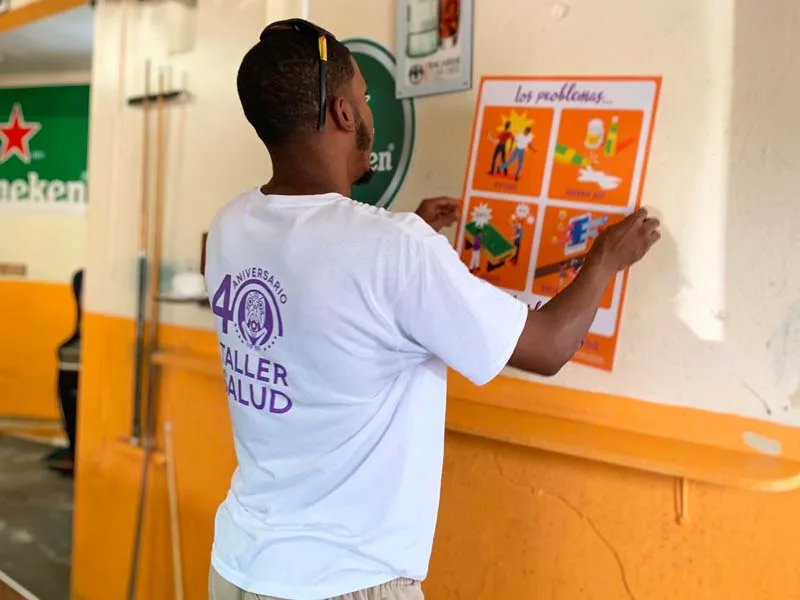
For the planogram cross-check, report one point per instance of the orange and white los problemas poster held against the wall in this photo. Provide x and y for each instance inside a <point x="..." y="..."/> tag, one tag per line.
<point x="553" y="162"/>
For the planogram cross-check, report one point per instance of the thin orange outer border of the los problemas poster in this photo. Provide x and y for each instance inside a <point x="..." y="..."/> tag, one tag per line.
<point x="657" y="79"/>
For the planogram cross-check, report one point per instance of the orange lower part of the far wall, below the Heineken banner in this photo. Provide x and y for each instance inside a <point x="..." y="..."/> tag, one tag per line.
<point x="35" y="318"/>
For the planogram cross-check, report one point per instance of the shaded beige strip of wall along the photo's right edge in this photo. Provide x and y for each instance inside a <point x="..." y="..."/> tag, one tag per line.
<point x="763" y="245"/>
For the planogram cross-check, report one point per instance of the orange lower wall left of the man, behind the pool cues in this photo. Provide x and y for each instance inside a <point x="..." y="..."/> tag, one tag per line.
<point x="110" y="468"/>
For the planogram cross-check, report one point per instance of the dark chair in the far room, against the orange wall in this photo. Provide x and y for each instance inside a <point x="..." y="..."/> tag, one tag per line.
<point x="69" y="364"/>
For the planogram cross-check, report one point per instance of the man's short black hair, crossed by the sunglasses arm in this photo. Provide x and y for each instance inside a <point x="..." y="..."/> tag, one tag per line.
<point x="278" y="82"/>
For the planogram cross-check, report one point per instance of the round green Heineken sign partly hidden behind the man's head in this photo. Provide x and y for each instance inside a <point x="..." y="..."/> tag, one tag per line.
<point x="394" y="124"/>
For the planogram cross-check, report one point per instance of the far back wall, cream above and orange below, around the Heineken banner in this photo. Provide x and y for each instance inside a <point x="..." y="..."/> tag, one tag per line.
<point x="38" y="312"/>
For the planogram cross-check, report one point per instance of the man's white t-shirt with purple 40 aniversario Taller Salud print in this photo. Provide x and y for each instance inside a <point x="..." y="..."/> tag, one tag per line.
<point x="336" y="321"/>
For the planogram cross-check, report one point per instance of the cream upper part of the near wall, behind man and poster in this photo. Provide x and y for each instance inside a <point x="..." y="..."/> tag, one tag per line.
<point x="681" y="343"/>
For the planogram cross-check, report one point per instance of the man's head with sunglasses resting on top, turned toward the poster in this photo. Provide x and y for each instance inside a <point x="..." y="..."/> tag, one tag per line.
<point x="279" y="84"/>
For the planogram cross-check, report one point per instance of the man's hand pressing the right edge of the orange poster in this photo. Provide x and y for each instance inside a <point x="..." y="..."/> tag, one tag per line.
<point x="624" y="244"/>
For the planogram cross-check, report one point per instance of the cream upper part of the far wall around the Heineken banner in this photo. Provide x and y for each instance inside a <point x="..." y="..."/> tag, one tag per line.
<point x="51" y="245"/>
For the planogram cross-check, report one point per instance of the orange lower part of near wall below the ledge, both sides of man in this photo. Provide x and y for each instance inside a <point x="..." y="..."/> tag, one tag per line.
<point x="514" y="522"/>
